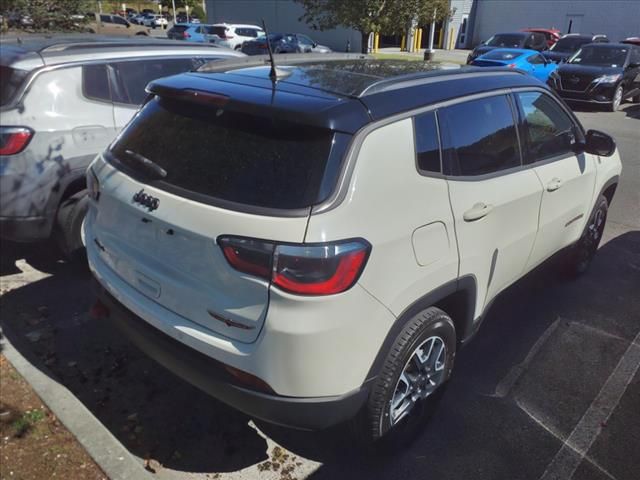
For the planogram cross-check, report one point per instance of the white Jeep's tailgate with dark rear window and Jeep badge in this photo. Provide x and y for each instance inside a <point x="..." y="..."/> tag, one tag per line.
<point x="227" y="174"/>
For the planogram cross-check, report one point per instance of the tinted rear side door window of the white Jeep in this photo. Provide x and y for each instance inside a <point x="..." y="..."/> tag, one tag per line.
<point x="482" y="136"/>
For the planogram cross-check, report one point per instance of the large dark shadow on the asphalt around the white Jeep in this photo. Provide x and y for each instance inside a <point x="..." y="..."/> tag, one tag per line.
<point x="474" y="434"/>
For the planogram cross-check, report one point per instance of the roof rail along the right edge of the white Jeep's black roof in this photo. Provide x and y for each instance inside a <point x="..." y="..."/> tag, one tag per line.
<point x="432" y="76"/>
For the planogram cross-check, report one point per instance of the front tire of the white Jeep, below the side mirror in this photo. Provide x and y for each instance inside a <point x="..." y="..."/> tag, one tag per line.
<point x="581" y="254"/>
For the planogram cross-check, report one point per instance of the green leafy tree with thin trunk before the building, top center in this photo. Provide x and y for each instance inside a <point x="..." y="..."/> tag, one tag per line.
<point x="367" y="16"/>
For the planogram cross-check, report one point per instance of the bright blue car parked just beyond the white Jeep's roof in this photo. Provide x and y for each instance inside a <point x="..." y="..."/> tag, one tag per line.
<point x="529" y="61"/>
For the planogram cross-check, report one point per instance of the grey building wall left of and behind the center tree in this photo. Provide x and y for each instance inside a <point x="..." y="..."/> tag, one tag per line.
<point x="280" y="16"/>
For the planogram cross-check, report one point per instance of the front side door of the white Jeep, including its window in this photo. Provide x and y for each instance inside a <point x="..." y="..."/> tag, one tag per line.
<point x="568" y="179"/>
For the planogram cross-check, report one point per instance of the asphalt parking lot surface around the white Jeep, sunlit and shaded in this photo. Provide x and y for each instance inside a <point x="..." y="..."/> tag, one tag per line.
<point x="548" y="389"/>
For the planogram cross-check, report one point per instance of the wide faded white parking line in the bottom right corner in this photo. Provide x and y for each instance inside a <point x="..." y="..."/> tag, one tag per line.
<point x="575" y="448"/>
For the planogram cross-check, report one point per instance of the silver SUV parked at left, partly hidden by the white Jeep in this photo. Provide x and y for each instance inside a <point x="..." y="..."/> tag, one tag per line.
<point x="61" y="102"/>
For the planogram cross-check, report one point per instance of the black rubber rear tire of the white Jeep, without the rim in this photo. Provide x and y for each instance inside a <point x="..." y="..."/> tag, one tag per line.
<point x="374" y="426"/>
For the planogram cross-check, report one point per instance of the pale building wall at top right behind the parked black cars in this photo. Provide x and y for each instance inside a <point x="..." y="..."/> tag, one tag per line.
<point x="617" y="19"/>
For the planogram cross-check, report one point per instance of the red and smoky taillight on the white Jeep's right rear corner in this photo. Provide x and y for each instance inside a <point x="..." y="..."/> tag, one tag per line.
<point x="315" y="269"/>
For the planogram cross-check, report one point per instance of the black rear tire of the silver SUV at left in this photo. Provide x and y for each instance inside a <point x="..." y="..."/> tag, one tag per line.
<point x="69" y="220"/>
